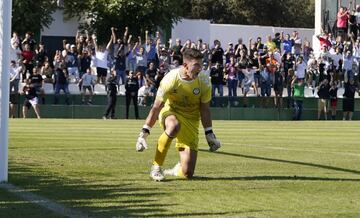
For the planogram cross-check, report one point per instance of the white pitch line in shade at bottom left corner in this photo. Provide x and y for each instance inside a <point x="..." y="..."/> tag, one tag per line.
<point x="41" y="201"/>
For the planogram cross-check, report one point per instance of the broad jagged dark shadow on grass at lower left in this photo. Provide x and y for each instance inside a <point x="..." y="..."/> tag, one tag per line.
<point x="100" y="198"/>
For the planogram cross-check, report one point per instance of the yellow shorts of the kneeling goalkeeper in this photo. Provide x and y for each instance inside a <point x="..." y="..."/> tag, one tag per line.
<point x="188" y="136"/>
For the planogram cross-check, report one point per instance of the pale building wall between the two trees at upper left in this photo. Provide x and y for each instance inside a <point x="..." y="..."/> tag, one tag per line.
<point x="60" y="26"/>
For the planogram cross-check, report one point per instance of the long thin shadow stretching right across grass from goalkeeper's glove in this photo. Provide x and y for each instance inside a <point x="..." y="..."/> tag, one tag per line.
<point x="286" y="161"/>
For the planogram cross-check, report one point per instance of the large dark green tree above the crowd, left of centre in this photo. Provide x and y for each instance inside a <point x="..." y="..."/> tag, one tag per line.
<point x="138" y="15"/>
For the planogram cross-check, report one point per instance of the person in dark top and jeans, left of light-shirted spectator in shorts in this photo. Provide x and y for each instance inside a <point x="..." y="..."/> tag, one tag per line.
<point x="61" y="83"/>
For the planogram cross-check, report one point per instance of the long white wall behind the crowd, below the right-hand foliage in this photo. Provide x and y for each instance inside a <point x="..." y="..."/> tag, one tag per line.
<point x="192" y="29"/>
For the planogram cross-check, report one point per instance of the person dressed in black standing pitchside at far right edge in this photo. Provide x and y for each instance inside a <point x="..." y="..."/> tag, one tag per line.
<point x="348" y="100"/>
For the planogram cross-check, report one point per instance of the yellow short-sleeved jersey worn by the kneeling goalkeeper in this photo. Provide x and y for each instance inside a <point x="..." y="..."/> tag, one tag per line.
<point x="184" y="97"/>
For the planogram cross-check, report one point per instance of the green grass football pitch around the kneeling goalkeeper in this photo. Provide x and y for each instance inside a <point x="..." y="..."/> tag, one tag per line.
<point x="264" y="169"/>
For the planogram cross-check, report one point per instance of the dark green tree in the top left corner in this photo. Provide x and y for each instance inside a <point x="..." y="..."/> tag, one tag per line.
<point x="31" y="15"/>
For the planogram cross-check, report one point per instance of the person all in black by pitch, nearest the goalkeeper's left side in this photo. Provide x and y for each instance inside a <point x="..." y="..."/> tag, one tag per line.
<point x="131" y="93"/>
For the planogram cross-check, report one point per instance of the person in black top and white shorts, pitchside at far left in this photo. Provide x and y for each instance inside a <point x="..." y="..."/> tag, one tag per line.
<point x="31" y="100"/>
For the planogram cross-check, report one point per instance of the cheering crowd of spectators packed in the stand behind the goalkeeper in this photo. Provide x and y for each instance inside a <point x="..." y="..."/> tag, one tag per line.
<point x="258" y="67"/>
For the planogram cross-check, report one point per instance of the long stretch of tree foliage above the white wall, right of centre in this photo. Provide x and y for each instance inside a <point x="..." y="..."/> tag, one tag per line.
<point x="285" y="13"/>
